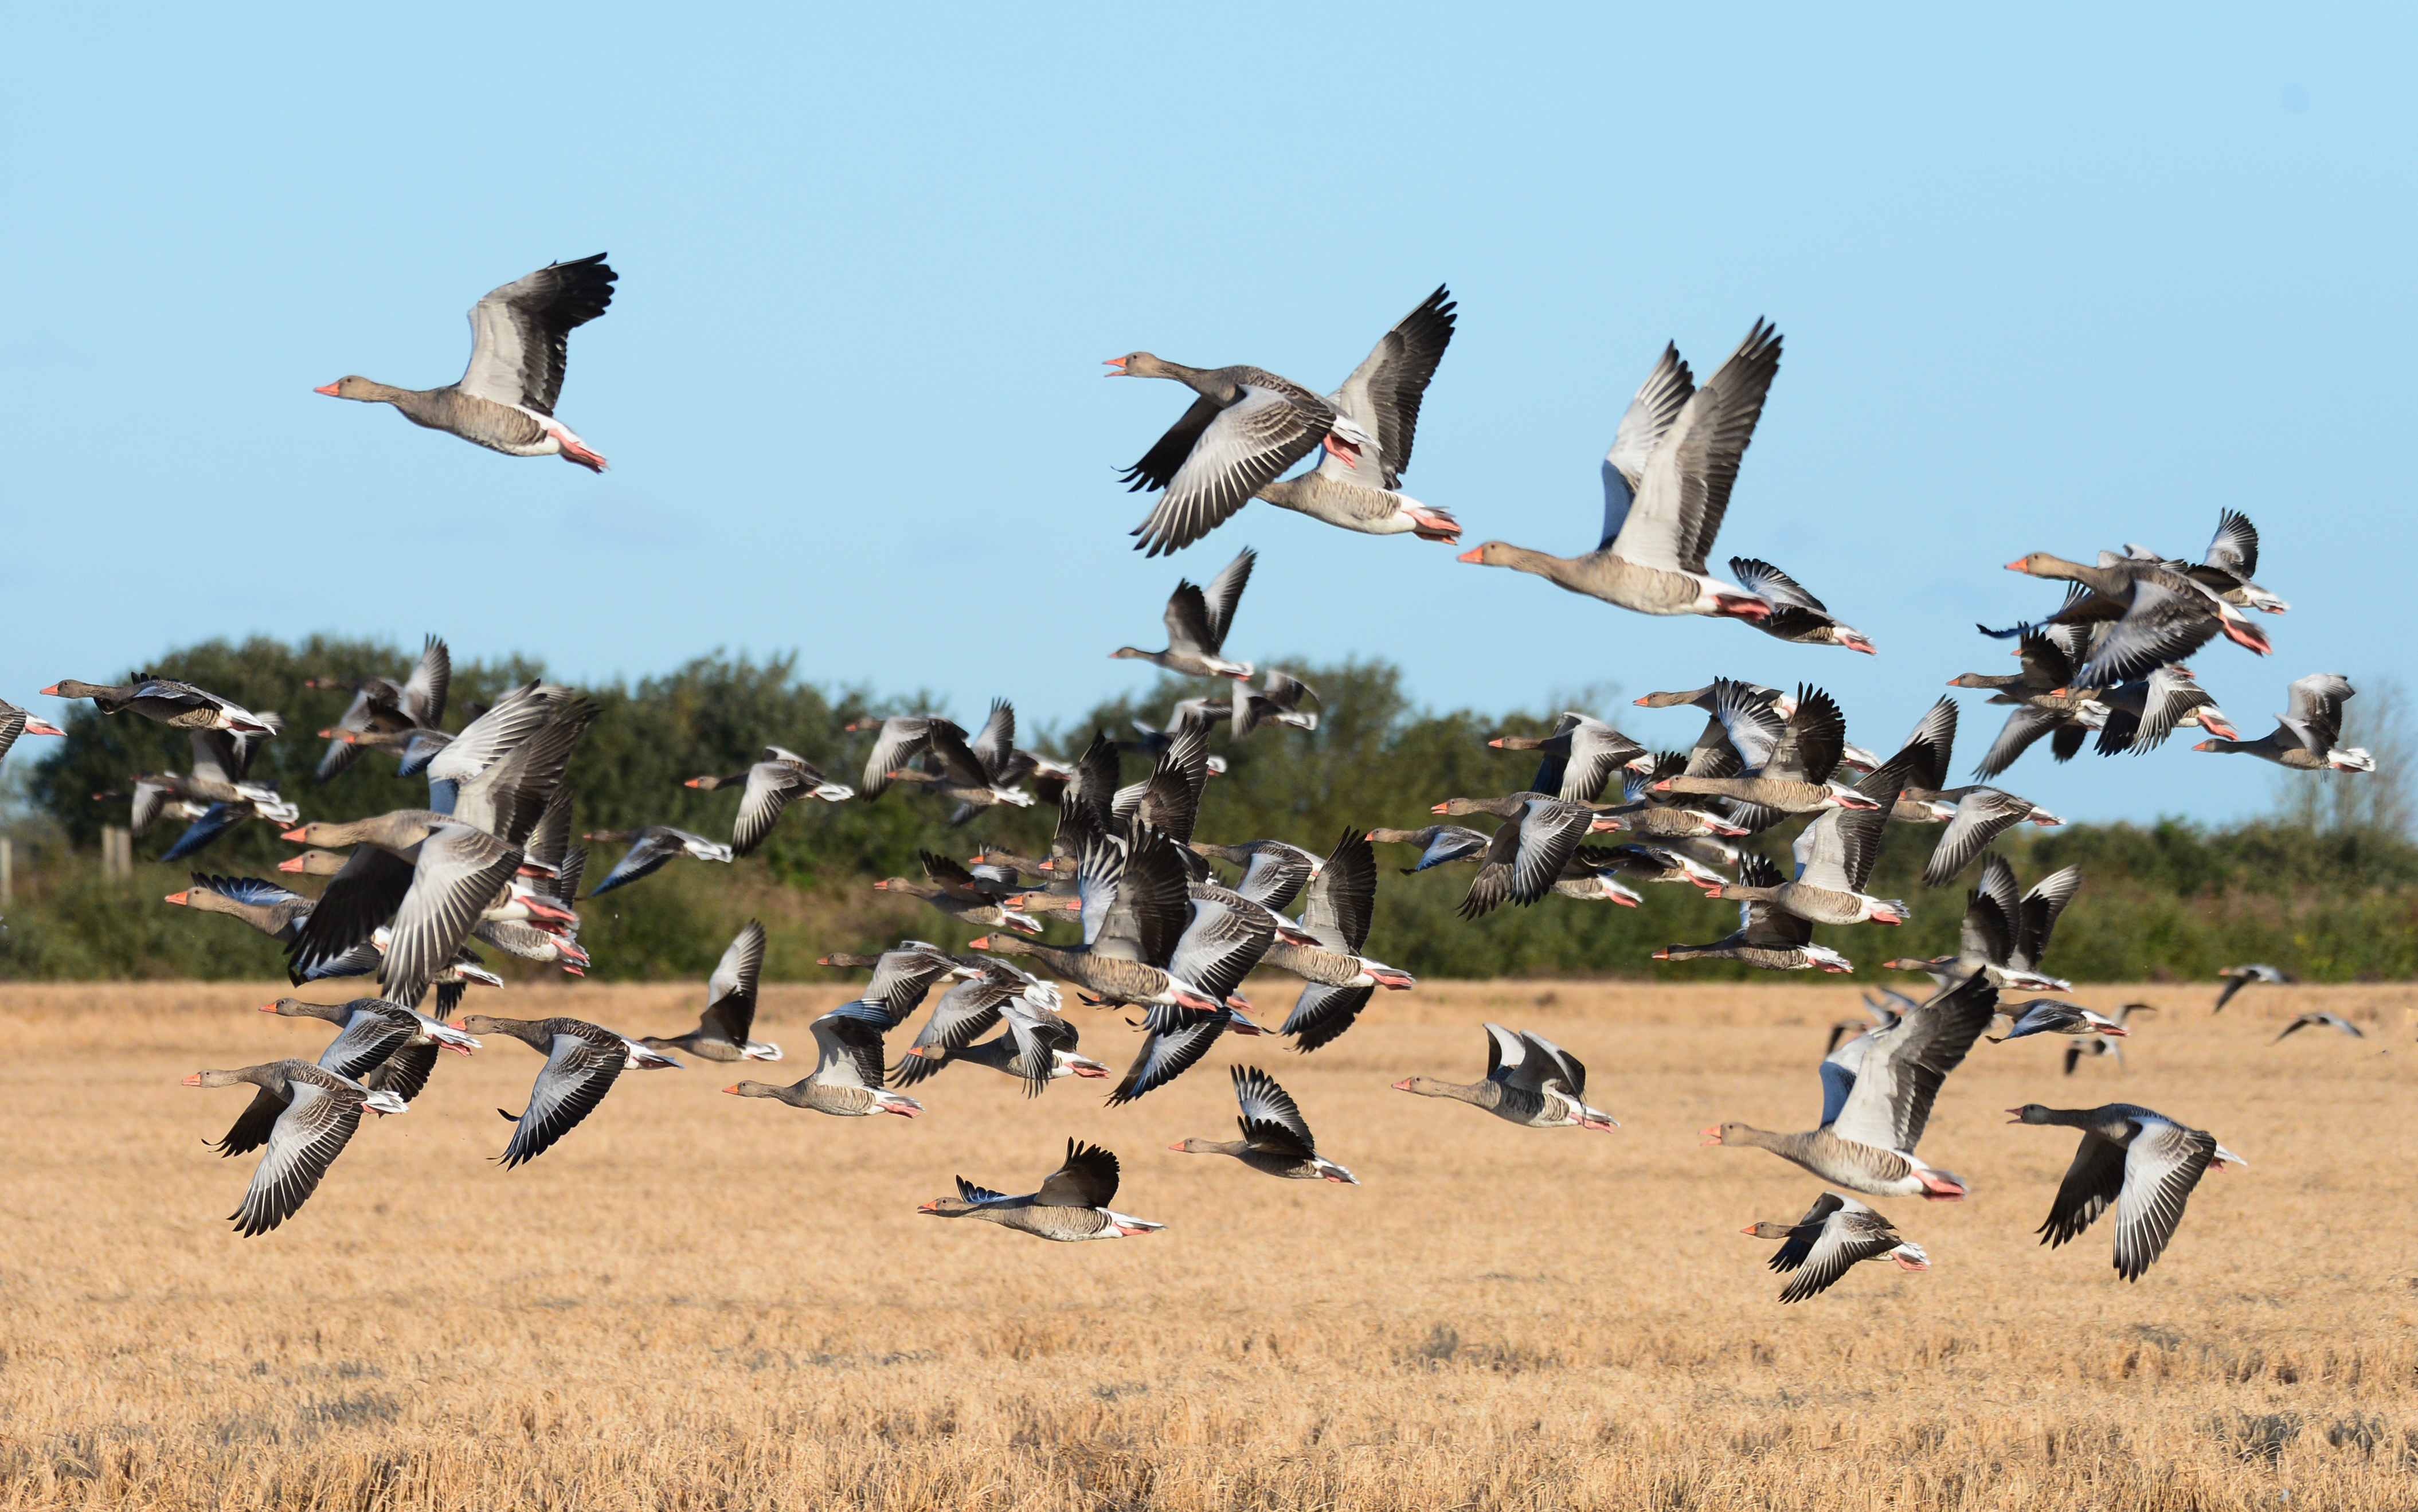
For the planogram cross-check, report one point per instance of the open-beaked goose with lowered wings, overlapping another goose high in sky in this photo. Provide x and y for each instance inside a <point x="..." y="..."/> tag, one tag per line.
<point x="1237" y="439"/>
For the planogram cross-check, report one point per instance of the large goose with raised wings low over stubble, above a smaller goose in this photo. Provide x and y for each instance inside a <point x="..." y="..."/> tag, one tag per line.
<point x="1878" y="1095"/>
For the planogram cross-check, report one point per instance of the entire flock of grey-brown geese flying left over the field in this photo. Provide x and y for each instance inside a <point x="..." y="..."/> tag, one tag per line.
<point x="1143" y="916"/>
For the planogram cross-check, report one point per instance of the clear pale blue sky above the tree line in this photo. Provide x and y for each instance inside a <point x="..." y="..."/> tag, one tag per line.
<point x="2047" y="284"/>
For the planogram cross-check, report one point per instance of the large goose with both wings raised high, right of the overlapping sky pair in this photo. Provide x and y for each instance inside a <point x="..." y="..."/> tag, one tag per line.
<point x="1665" y="492"/>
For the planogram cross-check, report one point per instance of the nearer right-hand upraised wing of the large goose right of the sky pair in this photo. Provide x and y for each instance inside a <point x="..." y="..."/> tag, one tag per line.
<point x="1689" y="478"/>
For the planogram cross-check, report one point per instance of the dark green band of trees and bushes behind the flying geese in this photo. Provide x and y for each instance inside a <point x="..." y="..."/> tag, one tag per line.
<point x="2170" y="899"/>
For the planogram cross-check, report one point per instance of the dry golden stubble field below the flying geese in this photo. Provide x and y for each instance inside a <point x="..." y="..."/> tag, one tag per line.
<point x="717" y="1303"/>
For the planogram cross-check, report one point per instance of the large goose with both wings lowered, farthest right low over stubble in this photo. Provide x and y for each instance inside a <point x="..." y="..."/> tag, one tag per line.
<point x="2139" y="1162"/>
